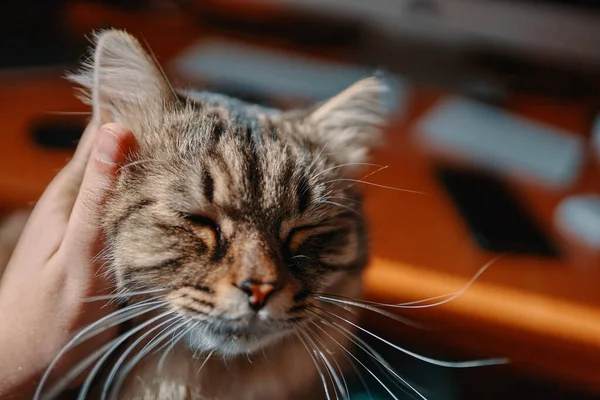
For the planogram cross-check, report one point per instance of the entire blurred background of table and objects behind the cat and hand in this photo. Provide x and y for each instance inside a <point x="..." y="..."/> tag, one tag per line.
<point x="497" y="123"/>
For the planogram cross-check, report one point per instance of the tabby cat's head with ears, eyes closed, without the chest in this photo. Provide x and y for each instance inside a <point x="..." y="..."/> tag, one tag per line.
<point x="238" y="214"/>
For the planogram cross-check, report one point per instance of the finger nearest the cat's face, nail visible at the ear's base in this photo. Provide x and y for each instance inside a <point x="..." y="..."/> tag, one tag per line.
<point x="112" y="144"/>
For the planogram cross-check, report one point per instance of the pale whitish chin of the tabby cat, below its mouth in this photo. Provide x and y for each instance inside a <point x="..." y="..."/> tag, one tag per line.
<point x="230" y="344"/>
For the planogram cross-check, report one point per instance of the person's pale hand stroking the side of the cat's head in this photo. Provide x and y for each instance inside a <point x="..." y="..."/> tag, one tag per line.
<point x="53" y="270"/>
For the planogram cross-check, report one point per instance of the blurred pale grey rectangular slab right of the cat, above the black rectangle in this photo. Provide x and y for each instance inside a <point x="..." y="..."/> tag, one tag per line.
<point x="497" y="140"/>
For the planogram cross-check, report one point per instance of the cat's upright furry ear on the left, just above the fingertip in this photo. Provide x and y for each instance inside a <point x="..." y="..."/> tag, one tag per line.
<point x="122" y="81"/>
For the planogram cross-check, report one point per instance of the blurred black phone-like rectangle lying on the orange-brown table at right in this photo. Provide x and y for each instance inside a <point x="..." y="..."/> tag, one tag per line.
<point x="496" y="219"/>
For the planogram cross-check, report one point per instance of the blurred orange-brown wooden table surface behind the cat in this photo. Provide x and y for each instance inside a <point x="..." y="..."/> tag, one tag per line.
<point x="543" y="314"/>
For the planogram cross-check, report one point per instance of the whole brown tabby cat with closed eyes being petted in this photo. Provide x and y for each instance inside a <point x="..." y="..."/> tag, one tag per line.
<point x="226" y="224"/>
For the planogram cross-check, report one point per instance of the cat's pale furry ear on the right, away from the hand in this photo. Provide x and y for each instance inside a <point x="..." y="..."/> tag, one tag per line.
<point x="351" y="124"/>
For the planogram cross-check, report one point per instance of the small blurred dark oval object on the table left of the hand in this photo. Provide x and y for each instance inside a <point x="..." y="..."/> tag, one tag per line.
<point x="58" y="132"/>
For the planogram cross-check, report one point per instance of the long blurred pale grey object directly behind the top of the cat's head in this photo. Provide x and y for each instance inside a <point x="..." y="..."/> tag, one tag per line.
<point x="265" y="76"/>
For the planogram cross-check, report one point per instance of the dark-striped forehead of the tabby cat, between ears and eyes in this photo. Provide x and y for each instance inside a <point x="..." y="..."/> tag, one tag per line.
<point x="234" y="158"/>
